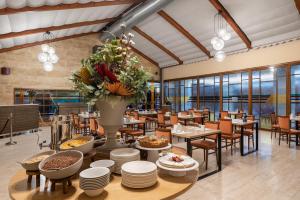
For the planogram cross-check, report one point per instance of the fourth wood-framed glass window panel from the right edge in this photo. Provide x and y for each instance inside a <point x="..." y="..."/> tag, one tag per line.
<point x="209" y="90"/>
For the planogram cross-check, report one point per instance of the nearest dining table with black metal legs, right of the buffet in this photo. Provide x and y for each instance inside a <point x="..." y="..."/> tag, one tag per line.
<point x="190" y="133"/>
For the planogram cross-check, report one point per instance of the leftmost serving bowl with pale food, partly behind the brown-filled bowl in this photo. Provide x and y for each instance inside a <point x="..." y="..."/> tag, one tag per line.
<point x="32" y="163"/>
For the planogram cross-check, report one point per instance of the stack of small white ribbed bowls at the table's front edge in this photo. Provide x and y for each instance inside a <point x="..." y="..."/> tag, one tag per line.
<point x="93" y="180"/>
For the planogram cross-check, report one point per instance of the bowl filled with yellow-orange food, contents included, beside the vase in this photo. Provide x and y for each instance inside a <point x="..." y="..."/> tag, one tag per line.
<point x="82" y="143"/>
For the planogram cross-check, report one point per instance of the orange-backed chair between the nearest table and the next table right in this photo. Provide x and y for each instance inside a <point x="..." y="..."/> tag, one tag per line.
<point x="227" y="132"/>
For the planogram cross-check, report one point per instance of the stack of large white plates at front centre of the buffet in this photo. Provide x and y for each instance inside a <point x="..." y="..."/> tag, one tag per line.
<point x="139" y="174"/>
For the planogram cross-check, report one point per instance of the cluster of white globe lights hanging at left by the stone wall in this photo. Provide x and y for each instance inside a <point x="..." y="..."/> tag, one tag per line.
<point x="48" y="56"/>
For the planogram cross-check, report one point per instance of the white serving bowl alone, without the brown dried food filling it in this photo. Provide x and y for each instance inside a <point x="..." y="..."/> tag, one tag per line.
<point x="64" y="172"/>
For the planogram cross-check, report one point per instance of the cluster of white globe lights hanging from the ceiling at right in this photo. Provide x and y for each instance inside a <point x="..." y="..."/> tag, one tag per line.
<point x="221" y="35"/>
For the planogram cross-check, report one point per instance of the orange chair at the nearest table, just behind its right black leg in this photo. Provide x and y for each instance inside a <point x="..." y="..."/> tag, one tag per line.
<point x="207" y="145"/>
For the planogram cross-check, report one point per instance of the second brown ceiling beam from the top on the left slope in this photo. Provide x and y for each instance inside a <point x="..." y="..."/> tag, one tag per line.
<point x="54" y="28"/>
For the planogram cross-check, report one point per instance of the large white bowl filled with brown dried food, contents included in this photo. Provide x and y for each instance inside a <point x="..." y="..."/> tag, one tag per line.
<point x="61" y="165"/>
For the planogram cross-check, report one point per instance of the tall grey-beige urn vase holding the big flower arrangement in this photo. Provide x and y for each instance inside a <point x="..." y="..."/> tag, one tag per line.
<point x="112" y="112"/>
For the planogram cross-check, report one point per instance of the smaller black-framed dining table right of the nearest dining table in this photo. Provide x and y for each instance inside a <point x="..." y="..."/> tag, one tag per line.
<point x="241" y="124"/>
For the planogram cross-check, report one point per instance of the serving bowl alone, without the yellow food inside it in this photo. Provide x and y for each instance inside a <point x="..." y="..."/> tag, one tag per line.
<point x="84" y="148"/>
